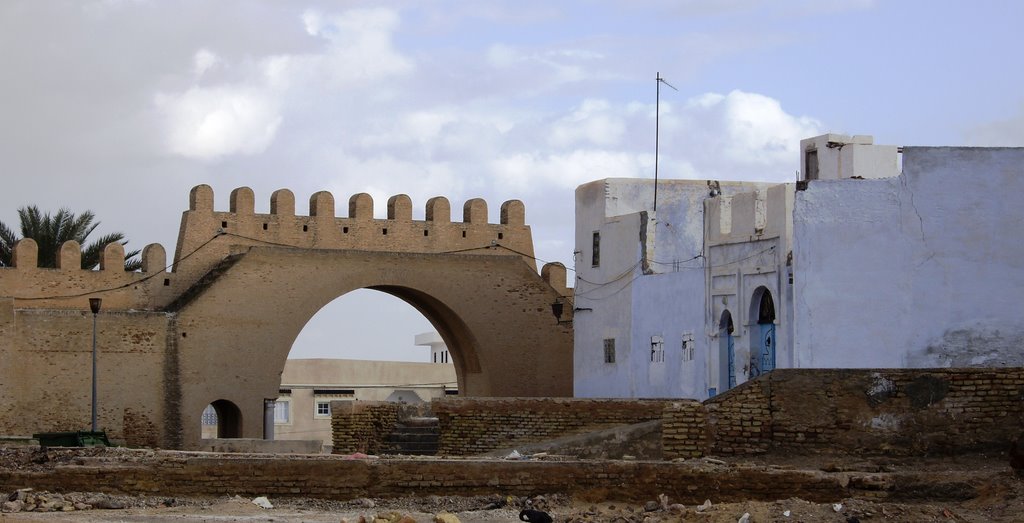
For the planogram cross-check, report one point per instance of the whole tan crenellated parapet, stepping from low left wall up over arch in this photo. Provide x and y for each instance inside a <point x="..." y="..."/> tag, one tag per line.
<point x="207" y="237"/>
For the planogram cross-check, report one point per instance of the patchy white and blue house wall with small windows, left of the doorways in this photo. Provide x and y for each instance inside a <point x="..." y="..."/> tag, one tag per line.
<point x="650" y="284"/>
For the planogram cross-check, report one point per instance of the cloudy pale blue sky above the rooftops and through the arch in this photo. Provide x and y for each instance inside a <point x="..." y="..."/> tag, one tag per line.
<point x="121" y="107"/>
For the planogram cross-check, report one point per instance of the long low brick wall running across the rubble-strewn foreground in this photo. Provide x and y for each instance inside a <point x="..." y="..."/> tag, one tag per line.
<point x="188" y="474"/>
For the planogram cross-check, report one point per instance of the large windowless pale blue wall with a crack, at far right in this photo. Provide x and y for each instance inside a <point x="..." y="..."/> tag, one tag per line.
<point x="925" y="270"/>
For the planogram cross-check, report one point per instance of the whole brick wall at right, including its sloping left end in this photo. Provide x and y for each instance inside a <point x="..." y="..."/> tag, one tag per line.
<point x="866" y="412"/>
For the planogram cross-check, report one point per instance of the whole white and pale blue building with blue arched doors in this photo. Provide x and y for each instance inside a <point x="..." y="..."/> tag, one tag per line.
<point x="864" y="263"/>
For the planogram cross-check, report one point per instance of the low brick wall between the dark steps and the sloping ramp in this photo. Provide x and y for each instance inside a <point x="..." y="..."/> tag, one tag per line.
<point x="473" y="426"/>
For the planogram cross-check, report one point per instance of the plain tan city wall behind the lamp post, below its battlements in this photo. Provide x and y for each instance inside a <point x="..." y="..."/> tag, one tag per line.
<point x="48" y="359"/>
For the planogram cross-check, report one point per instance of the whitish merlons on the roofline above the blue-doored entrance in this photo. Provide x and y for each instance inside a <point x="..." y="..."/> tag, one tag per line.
<point x="748" y="216"/>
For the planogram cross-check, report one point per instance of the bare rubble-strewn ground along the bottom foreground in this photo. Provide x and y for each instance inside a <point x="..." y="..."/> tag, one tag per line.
<point x="1000" y="498"/>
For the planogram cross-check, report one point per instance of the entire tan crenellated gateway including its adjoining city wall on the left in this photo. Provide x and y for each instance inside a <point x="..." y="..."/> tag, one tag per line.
<point x="220" y="327"/>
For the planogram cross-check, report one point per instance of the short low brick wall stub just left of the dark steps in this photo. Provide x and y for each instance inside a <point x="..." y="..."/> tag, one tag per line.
<point x="362" y="426"/>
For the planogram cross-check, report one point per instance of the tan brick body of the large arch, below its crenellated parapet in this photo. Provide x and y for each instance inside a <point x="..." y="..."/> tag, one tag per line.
<point x="493" y="313"/>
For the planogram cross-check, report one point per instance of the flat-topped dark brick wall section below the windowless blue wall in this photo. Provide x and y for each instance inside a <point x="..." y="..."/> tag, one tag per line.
<point x="898" y="412"/>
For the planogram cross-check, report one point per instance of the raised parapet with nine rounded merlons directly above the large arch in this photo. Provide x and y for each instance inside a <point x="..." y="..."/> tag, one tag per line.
<point x="360" y="231"/>
